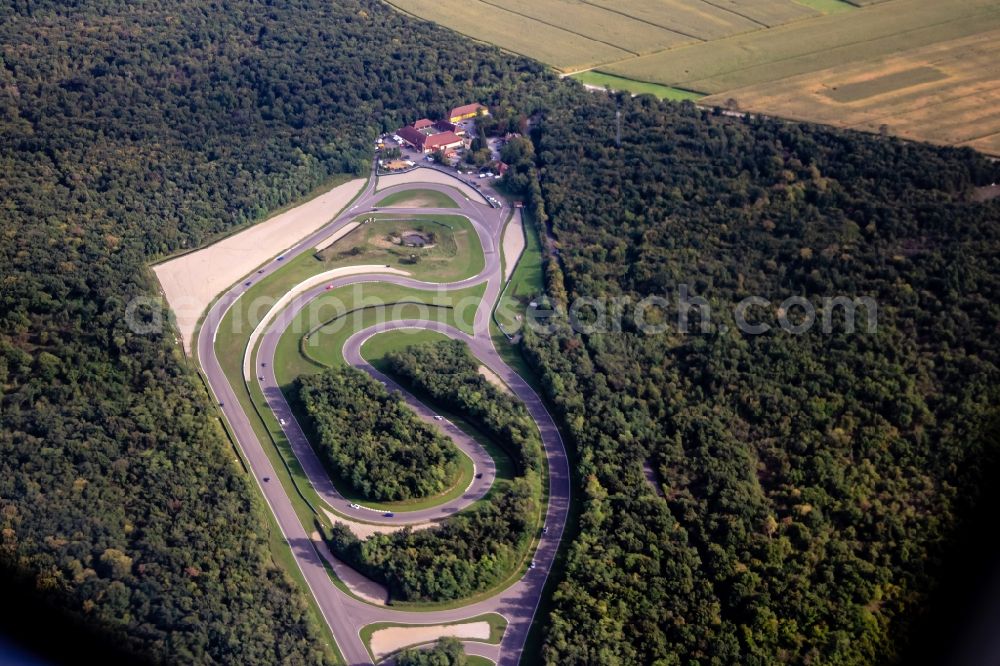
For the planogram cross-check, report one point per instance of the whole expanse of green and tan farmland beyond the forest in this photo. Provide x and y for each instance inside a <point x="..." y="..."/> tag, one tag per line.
<point x="919" y="69"/>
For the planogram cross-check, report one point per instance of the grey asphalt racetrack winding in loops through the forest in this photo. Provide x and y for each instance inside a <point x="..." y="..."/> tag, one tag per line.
<point x="345" y="614"/>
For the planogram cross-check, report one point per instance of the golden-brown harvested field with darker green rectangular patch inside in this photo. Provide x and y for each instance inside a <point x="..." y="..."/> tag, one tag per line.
<point x="946" y="93"/>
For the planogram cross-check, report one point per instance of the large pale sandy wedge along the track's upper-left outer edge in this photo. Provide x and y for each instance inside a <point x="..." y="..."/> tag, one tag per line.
<point x="191" y="282"/>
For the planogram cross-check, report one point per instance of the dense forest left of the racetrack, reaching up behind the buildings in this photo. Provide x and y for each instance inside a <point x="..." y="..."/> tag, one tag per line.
<point x="128" y="131"/>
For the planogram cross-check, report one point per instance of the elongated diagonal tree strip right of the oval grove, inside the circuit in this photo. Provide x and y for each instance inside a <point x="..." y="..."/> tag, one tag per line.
<point x="448" y="374"/>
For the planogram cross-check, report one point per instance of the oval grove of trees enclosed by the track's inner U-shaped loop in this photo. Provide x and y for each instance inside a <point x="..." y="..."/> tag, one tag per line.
<point x="371" y="439"/>
